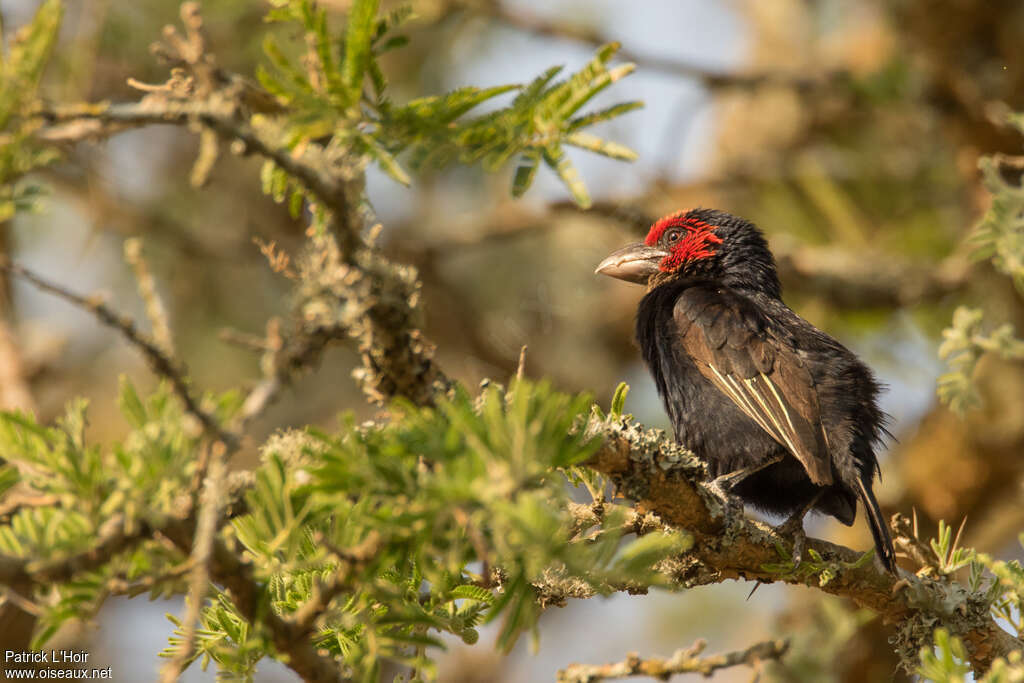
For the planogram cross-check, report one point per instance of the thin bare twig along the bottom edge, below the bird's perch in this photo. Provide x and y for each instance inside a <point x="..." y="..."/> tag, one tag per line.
<point x="687" y="661"/>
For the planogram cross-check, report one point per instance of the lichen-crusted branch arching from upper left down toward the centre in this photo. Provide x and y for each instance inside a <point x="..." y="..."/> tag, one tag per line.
<point x="397" y="358"/>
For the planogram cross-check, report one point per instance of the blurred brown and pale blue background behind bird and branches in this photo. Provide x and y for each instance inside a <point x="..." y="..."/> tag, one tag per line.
<point x="848" y="131"/>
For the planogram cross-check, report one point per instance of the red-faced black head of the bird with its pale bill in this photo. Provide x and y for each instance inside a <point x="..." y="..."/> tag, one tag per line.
<point x="701" y="244"/>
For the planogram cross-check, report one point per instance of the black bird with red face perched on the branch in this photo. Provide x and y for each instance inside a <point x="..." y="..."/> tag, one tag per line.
<point x="786" y="417"/>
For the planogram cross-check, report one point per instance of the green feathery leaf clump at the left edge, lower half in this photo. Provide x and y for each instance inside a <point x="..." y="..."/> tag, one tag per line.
<point x="137" y="482"/>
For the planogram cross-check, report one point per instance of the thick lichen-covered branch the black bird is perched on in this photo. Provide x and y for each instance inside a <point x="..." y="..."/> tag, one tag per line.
<point x="665" y="480"/>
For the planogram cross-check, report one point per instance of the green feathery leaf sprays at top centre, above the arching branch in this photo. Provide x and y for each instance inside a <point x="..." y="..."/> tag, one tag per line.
<point x="327" y="100"/>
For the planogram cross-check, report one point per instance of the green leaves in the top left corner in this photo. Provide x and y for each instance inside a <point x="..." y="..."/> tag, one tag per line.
<point x="22" y="67"/>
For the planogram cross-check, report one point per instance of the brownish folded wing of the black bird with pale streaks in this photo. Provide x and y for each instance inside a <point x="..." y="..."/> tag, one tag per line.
<point x="734" y="346"/>
